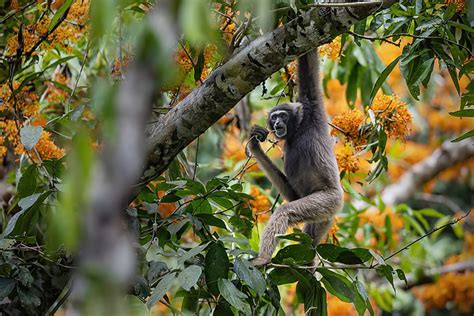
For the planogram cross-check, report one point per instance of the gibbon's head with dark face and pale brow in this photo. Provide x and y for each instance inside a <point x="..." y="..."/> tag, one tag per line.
<point x="284" y="119"/>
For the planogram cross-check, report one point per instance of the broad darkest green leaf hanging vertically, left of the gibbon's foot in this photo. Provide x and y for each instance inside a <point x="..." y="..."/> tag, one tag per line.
<point x="216" y="266"/>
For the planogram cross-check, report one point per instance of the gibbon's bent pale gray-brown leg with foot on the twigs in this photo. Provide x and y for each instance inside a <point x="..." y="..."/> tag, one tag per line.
<point x="317" y="208"/>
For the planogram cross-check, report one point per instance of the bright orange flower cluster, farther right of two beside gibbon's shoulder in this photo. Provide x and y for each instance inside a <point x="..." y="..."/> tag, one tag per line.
<point x="393" y="115"/>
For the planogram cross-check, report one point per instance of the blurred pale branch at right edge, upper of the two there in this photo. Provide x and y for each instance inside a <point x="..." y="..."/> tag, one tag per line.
<point x="447" y="155"/>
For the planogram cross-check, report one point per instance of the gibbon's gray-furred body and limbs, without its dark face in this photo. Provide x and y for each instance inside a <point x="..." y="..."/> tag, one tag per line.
<point x="311" y="183"/>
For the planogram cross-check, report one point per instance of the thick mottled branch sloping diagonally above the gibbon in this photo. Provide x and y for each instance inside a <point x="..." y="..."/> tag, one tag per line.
<point x="244" y="71"/>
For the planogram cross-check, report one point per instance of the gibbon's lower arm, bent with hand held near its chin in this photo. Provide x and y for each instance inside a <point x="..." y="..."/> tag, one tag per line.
<point x="276" y="177"/>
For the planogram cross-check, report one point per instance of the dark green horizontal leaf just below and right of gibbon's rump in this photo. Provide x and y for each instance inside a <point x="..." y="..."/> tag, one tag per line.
<point x="344" y="255"/>
